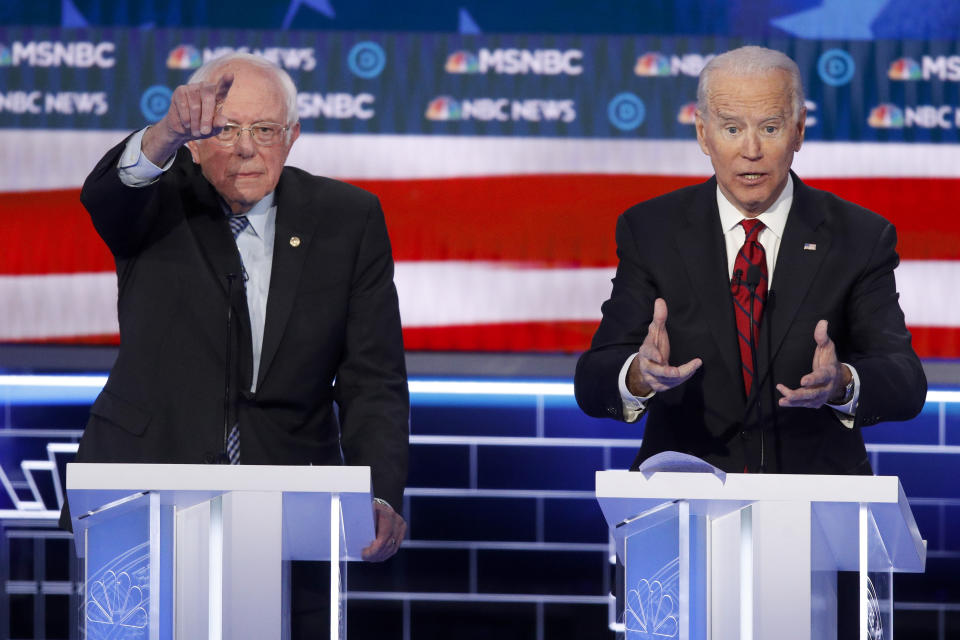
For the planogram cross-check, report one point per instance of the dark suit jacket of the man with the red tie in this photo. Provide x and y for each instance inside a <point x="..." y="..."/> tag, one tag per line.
<point x="672" y="247"/>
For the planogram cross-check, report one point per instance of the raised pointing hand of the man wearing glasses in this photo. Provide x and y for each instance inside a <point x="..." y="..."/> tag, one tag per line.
<point x="194" y="114"/>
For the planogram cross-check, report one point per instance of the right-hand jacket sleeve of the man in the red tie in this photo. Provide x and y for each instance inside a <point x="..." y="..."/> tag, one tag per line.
<point x="893" y="385"/>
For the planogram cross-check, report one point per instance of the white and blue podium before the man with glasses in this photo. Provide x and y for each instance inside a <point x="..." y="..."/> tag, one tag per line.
<point x="201" y="551"/>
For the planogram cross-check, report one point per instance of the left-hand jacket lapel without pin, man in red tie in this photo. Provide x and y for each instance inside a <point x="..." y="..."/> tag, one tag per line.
<point x="704" y="255"/>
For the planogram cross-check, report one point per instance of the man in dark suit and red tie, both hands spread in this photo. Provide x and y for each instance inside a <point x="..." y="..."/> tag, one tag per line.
<point x="826" y="336"/>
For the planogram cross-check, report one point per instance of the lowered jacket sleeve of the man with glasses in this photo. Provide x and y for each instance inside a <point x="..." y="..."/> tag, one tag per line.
<point x="371" y="386"/>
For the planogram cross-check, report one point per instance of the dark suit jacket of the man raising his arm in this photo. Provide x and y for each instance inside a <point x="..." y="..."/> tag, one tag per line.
<point x="332" y="334"/>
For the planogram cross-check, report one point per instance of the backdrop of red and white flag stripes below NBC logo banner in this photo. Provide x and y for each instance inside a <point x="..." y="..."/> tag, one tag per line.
<point x="502" y="222"/>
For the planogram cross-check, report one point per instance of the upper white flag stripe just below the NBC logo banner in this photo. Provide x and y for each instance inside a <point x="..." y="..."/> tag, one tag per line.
<point x="49" y="159"/>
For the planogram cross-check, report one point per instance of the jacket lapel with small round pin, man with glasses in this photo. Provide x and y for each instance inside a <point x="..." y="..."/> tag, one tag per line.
<point x="295" y="226"/>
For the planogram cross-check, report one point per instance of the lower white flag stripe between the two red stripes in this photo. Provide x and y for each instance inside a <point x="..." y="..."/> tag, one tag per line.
<point x="432" y="294"/>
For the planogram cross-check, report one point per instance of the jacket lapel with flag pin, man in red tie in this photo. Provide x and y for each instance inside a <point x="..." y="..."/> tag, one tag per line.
<point x="804" y="245"/>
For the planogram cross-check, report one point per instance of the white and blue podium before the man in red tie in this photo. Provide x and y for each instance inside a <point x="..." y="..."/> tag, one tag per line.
<point x="749" y="556"/>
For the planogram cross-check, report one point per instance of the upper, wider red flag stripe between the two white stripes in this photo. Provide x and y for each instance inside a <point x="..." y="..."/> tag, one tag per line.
<point x="548" y="220"/>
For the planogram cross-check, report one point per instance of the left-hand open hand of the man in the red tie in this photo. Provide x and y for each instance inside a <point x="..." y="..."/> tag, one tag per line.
<point x="651" y="370"/>
